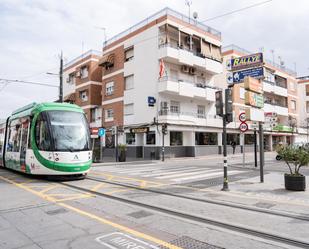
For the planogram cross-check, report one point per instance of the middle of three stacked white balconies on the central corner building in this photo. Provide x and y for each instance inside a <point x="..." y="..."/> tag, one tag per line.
<point x="187" y="89"/>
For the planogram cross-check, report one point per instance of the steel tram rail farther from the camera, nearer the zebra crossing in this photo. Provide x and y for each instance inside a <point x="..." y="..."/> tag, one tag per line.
<point x="208" y="201"/>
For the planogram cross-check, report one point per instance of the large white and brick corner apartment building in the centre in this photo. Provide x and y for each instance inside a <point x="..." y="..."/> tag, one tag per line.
<point x="190" y="53"/>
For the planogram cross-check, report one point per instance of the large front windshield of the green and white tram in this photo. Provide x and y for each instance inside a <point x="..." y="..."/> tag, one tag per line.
<point x="69" y="131"/>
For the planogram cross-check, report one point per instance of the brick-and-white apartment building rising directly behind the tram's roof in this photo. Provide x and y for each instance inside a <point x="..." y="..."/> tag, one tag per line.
<point x="83" y="85"/>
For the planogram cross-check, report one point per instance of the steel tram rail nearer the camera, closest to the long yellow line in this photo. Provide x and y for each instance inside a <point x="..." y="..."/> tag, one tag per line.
<point x="197" y="218"/>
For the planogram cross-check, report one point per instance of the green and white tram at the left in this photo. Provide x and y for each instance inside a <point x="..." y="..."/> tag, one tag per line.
<point x="46" y="139"/>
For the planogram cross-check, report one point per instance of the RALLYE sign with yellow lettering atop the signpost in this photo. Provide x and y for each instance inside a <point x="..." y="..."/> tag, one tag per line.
<point x="252" y="60"/>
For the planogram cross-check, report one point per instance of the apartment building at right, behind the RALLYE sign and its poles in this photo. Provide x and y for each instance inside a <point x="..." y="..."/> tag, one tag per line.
<point x="281" y="102"/>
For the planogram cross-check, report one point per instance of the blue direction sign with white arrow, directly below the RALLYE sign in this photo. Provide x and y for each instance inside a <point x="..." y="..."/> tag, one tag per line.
<point x="239" y="76"/>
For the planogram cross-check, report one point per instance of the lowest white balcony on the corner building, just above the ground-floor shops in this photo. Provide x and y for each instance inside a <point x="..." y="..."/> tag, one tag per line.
<point x="188" y="118"/>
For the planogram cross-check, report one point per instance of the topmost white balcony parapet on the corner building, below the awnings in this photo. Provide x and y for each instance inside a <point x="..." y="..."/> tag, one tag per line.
<point x="176" y="54"/>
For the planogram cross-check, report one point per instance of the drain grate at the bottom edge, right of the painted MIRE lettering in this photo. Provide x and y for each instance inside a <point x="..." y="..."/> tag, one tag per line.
<point x="189" y="243"/>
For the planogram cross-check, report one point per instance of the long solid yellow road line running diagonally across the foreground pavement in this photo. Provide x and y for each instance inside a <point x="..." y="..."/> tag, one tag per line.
<point x="95" y="217"/>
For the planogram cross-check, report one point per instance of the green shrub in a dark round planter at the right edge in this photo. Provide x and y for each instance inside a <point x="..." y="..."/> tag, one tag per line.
<point x="295" y="158"/>
